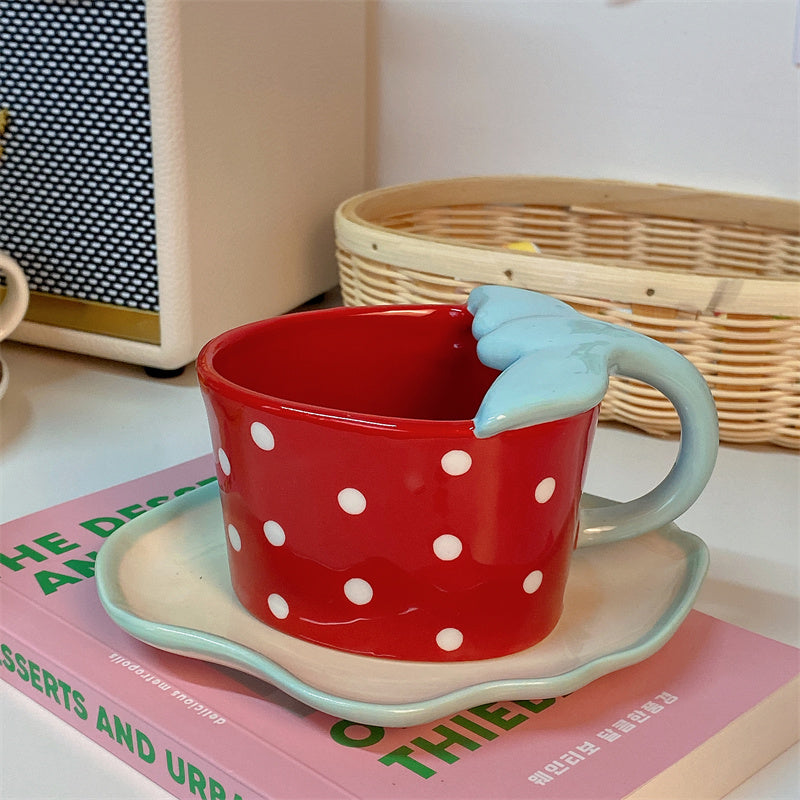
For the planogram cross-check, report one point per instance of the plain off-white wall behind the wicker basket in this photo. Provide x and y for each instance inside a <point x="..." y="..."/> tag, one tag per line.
<point x="692" y="92"/>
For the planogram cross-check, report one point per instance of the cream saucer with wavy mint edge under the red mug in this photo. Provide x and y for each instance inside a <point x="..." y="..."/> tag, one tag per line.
<point x="163" y="577"/>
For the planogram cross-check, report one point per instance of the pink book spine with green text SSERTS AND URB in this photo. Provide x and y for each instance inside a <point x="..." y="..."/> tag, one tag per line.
<point x="167" y="762"/>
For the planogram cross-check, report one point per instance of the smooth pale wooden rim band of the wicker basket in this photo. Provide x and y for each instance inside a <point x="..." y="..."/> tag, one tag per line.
<point x="689" y="292"/>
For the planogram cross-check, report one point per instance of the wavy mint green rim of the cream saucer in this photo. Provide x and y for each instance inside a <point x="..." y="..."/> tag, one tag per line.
<point x="216" y="649"/>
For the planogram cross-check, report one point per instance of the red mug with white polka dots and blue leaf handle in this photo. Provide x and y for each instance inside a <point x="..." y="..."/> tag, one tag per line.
<point x="405" y="481"/>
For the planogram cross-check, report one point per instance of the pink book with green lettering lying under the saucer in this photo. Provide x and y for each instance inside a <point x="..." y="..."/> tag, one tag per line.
<point x="714" y="694"/>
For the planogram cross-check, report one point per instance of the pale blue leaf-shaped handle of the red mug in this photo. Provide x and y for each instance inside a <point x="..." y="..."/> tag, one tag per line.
<point x="555" y="363"/>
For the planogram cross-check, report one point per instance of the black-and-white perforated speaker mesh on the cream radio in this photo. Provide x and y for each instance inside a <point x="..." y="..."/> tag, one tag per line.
<point x="76" y="177"/>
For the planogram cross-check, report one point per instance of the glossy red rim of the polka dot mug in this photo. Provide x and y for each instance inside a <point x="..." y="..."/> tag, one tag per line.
<point x="212" y="380"/>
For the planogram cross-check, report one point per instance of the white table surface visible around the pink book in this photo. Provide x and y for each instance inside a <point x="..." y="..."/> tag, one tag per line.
<point x="70" y="425"/>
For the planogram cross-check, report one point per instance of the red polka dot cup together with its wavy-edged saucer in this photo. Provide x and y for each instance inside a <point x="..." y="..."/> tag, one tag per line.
<point x="398" y="530"/>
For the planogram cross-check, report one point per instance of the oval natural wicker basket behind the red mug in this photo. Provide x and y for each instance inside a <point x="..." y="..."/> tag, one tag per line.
<point x="715" y="276"/>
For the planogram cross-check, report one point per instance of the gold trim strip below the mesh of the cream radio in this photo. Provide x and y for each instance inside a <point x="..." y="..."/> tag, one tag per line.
<point x="92" y="317"/>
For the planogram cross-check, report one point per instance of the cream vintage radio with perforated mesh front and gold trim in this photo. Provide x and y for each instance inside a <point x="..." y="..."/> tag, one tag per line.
<point x="170" y="168"/>
